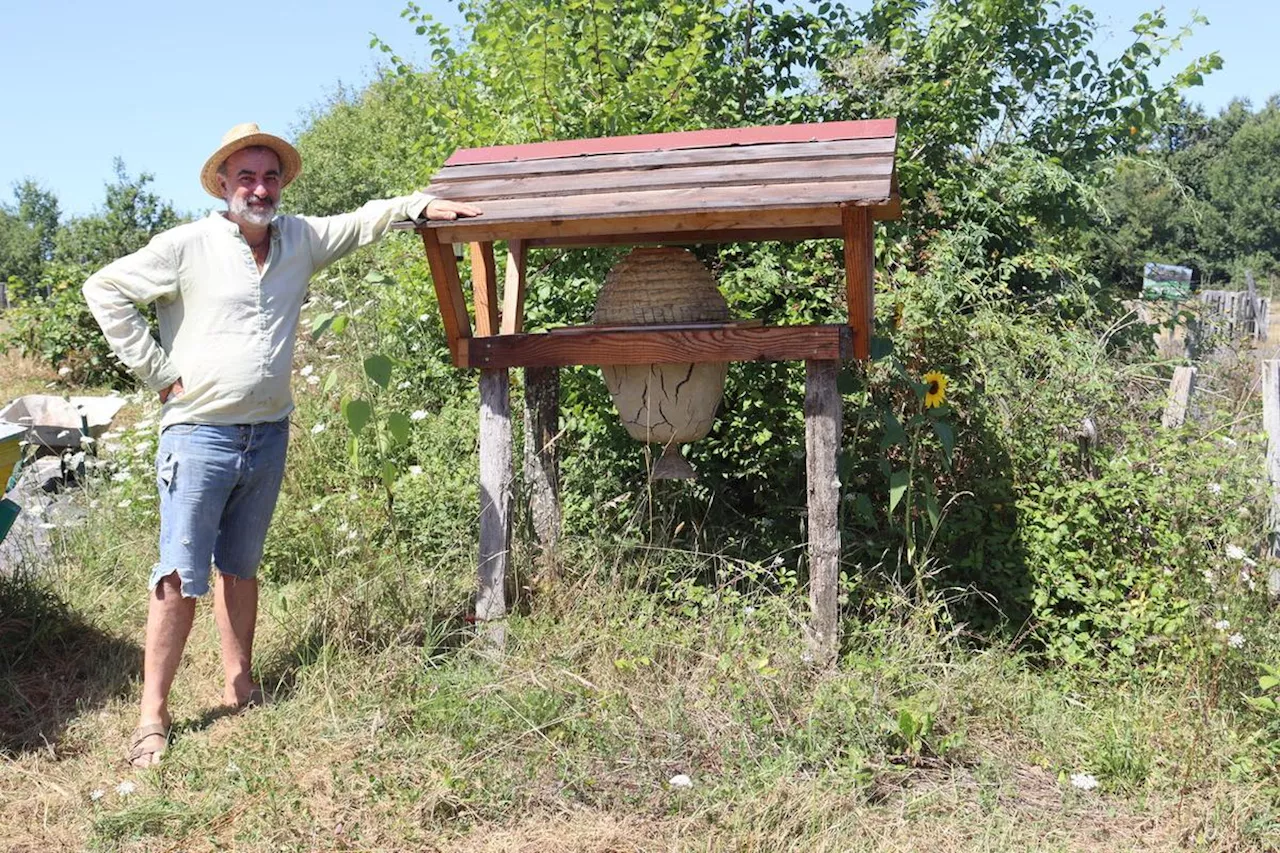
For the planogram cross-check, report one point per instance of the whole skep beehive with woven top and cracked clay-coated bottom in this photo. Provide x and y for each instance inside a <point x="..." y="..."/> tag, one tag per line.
<point x="664" y="404"/>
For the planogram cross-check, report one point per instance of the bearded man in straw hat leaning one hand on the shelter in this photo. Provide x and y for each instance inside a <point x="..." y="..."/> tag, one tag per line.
<point x="228" y="290"/>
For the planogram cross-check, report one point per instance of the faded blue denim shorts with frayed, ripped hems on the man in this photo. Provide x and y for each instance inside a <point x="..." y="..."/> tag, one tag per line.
<point x="218" y="490"/>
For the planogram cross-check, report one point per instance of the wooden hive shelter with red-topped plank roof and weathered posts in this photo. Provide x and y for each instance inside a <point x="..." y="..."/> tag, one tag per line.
<point x="766" y="184"/>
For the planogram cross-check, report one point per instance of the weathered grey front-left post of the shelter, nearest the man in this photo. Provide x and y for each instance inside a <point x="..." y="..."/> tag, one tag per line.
<point x="496" y="480"/>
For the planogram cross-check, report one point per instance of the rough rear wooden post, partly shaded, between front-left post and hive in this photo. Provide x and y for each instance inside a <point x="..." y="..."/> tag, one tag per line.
<point x="542" y="463"/>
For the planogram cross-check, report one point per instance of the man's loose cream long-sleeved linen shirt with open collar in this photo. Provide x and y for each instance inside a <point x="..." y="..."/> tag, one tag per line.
<point x="226" y="329"/>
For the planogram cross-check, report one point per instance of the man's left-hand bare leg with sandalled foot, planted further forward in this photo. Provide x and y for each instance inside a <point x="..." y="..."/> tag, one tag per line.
<point x="170" y="617"/>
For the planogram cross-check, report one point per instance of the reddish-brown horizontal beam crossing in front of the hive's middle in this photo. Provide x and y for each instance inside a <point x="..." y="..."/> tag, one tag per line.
<point x="726" y="344"/>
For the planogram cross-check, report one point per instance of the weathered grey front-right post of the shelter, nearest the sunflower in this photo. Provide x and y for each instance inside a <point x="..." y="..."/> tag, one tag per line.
<point x="822" y="418"/>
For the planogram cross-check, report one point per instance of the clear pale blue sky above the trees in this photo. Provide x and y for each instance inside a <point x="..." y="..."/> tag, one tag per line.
<point x="159" y="83"/>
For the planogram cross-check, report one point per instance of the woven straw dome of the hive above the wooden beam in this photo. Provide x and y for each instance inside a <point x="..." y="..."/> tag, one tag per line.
<point x="660" y="286"/>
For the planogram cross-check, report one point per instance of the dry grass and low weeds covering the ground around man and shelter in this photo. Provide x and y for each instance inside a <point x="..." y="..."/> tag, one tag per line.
<point x="388" y="728"/>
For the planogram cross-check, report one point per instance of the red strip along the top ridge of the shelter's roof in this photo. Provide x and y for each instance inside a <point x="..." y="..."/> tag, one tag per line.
<point x="766" y="135"/>
